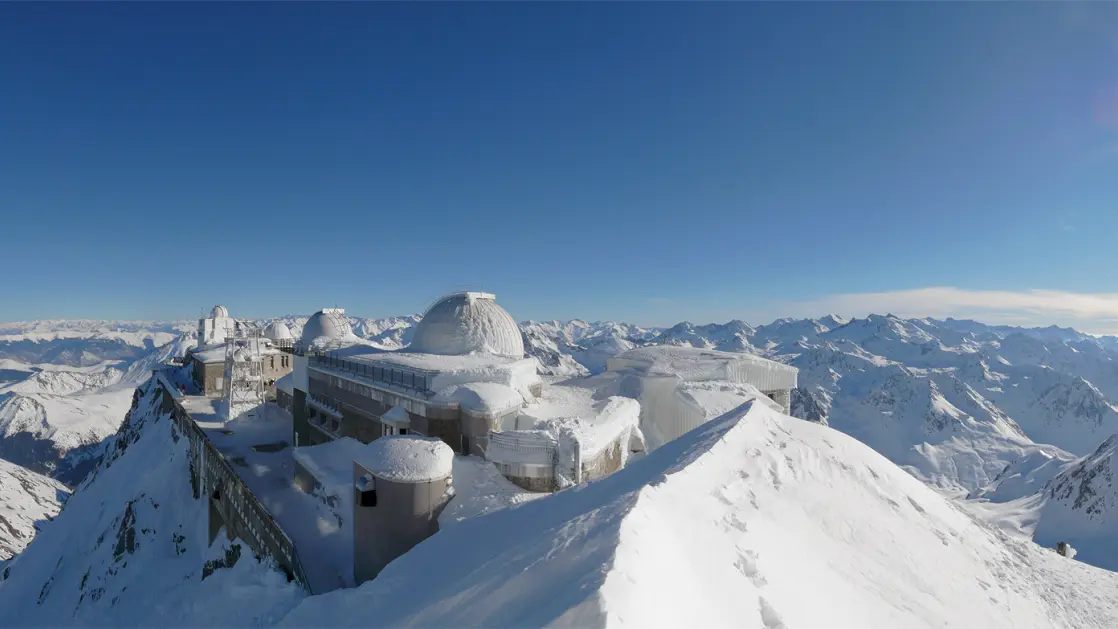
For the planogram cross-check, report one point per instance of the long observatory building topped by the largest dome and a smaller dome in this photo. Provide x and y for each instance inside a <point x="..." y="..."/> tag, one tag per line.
<point x="463" y="373"/>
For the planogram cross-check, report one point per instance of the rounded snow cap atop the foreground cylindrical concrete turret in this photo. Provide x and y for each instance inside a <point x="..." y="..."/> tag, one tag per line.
<point x="408" y="459"/>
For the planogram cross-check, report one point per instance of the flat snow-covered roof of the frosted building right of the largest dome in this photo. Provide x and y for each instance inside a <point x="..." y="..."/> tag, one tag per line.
<point x="697" y="365"/>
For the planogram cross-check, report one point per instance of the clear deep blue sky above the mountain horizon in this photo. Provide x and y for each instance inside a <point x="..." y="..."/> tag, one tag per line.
<point x="631" y="161"/>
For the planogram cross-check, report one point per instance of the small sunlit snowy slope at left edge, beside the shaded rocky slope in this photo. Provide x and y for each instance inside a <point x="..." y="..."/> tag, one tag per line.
<point x="26" y="501"/>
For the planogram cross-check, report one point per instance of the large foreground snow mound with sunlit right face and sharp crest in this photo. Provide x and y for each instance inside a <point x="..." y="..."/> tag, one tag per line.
<point x="736" y="525"/>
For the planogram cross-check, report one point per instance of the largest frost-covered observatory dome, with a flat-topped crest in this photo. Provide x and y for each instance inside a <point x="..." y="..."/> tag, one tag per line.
<point x="466" y="323"/>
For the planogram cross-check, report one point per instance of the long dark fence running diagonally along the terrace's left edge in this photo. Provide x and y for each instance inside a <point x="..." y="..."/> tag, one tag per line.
<point x="255" y="516"/>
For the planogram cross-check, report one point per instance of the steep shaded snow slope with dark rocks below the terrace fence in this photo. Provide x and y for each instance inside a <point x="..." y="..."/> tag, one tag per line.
<point x="130" y="549"/>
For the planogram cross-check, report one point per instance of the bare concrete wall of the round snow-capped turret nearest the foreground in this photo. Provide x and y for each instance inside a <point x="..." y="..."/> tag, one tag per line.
<point x="406" y="514"/>
